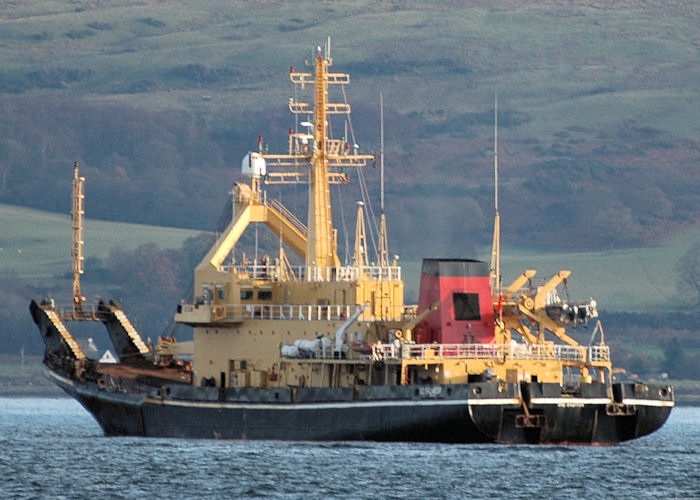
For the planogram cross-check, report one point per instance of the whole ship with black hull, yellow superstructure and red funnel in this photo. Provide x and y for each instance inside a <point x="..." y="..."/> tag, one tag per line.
<point x="300" y="345"/>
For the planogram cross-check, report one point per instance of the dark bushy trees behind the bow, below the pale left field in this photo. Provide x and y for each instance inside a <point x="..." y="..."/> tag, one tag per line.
<point x="147" y="281"/>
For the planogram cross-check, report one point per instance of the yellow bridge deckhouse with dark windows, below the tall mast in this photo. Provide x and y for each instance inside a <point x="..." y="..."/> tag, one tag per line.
<point x="273" y="290"/>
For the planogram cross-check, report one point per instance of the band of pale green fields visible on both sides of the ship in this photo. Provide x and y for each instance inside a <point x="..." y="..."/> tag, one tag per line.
<point x="36" y="245"/>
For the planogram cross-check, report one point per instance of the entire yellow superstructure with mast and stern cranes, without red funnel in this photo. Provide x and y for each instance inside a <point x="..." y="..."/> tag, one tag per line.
<point x="268" y="323"/>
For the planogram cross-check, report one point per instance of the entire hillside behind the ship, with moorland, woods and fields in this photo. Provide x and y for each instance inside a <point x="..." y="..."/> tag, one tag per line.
<point x="598" y="129"/>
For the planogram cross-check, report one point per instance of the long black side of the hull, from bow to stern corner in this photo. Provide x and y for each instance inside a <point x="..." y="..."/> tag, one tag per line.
<point x="395" y="420"/>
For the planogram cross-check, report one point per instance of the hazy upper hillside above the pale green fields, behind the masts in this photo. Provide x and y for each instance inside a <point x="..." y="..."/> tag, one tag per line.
<point x="160" y="100"/>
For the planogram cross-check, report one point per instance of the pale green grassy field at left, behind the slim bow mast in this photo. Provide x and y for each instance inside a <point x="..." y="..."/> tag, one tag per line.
<point x="37" y="244"/>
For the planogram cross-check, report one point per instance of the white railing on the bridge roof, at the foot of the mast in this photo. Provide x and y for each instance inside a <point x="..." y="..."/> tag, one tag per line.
<point x="263" y="271"/>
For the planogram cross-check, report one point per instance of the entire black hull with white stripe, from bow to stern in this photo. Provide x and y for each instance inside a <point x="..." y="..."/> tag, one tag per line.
<point x="418" y="414"/>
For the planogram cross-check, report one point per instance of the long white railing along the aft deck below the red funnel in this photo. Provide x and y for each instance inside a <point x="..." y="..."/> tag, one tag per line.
<point x="538" y="352"/>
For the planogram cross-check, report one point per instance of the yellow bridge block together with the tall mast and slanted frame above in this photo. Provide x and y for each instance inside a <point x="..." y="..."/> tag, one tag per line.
<point x="322" y="288"/>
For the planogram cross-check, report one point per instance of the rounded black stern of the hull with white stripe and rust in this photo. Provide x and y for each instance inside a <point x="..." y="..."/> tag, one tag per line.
<point x="591" y="416"/>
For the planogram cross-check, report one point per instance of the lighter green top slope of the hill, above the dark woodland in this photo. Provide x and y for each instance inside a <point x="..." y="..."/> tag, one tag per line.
<point x="564" y="66"/>
